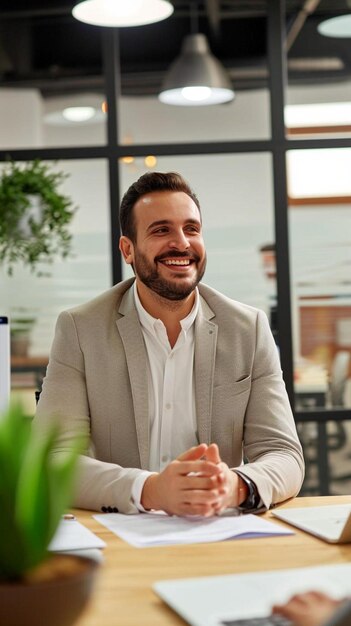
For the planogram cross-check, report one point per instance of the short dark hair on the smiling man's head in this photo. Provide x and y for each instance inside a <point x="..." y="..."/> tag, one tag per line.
<point x="149" y="182"/>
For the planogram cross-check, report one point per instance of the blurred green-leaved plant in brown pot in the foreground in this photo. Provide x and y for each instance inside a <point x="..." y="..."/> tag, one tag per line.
<point x="36" y="587"/>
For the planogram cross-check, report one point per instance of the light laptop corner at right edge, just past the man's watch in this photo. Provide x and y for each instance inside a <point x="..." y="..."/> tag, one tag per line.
<point x="332" y="523"/>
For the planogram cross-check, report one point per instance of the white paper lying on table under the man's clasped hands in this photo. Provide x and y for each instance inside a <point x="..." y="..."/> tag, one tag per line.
<point x="156" y="529"/>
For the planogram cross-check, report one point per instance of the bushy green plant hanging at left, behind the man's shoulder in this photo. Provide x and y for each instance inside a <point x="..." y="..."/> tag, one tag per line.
<point x="34" y="215"/>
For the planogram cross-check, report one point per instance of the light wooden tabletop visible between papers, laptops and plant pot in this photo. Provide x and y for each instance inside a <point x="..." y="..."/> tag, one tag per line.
<point x="124" y="597"/>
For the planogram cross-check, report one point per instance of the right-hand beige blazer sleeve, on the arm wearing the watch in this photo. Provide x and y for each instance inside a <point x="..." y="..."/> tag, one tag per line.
<point x="271" y="445"/>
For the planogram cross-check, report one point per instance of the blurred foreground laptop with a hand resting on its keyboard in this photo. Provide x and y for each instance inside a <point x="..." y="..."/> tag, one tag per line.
<point x="246" y="599"/>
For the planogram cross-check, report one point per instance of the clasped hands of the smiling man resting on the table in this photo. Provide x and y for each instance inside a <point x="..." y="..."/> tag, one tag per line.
<point x="196" y="483"/>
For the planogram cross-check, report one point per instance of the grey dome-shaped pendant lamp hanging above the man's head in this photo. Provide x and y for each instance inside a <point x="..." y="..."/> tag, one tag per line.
<point x="196" y="77"/>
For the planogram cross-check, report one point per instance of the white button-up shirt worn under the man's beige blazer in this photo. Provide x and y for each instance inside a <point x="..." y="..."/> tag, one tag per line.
<point x="172" y="411"/>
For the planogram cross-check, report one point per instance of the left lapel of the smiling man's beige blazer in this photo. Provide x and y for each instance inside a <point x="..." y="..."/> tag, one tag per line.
<point x="133" y="343"/>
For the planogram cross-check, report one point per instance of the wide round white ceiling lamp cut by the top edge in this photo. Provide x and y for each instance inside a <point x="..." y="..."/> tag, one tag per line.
<point x="122" y="13"/>
